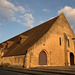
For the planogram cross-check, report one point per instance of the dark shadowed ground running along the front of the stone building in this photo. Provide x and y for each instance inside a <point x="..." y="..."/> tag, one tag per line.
<point x="39" y="71"/>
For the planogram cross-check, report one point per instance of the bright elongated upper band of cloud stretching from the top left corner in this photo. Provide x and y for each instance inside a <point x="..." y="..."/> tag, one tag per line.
<point x="4" y="4"/>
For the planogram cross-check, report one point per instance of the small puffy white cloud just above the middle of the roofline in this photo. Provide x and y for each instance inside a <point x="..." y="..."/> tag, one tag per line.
<point x="29" y="20"/>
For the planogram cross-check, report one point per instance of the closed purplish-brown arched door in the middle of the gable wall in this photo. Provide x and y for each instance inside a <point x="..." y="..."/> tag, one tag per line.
<point x="42" y="58"/>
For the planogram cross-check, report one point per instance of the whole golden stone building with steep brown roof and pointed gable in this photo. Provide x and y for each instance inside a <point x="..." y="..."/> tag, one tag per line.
<point x="49" y="44"/>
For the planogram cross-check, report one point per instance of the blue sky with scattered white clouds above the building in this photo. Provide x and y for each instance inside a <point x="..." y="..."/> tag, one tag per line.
<point x="17" y="16"/>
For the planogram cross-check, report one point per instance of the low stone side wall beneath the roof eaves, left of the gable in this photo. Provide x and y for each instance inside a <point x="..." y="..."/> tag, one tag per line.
<point x="14" y="61"/>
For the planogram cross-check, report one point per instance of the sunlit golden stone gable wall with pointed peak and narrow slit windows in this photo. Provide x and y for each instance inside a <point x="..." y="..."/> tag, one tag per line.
<point x="56" y="53"/>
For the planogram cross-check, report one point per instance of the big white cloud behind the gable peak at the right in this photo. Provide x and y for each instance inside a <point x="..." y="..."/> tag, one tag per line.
<point x="69" y="13"/>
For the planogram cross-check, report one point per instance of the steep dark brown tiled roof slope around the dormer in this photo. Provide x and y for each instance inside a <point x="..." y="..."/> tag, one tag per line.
<point x="33" y="35"/>
